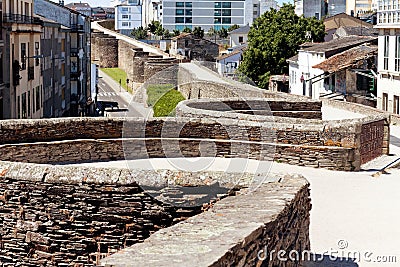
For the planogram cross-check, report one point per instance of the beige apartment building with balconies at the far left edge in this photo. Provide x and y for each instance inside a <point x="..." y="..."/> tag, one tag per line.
<point x="22" y="77"/>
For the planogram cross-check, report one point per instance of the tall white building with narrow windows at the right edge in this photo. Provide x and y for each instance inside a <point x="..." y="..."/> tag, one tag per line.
<point x="388" y="83"/>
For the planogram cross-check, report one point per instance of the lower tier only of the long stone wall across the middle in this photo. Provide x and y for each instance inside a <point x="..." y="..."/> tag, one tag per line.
<point x="335" y="158"/>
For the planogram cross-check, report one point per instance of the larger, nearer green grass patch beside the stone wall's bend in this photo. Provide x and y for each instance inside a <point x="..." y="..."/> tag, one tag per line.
<point x="163" y="98"/>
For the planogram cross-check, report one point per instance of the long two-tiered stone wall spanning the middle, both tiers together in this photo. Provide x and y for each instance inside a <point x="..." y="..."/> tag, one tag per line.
<point x="333" y="146"/>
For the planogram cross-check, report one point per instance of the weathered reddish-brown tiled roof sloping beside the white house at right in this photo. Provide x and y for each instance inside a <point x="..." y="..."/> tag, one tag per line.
<point x="347" y="58"/>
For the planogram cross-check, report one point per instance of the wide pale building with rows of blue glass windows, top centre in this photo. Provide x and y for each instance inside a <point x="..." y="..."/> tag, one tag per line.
<point x="207" y="14"/>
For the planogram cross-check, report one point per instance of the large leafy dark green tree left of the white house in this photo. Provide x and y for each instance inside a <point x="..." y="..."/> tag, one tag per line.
<point x="274" y="37"/>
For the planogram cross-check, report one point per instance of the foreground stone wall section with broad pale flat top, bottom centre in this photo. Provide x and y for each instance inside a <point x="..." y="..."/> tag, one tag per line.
<point x="274" y="217"/>
